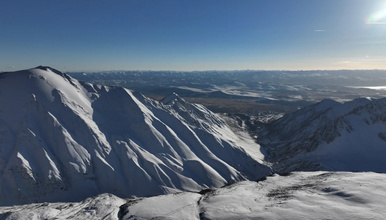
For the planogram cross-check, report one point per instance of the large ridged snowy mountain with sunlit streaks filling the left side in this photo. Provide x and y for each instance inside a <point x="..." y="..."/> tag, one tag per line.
<point x="65" y="140"/>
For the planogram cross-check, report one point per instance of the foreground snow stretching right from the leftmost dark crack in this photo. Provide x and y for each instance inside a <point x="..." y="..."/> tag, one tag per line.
<point x="317" y="195"/>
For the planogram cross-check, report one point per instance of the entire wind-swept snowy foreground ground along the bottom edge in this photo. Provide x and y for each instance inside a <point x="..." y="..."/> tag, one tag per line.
<point x="300" y="195"/>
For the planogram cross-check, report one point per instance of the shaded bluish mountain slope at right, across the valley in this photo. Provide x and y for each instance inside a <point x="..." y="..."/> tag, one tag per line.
<point x="329" y="136"/>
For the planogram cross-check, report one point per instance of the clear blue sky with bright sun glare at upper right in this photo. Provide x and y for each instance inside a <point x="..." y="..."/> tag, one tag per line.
<point x="89" y="35"/>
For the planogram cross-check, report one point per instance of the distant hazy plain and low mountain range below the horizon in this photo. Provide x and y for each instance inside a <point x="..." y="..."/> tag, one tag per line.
<point x="279" y="91"/>
